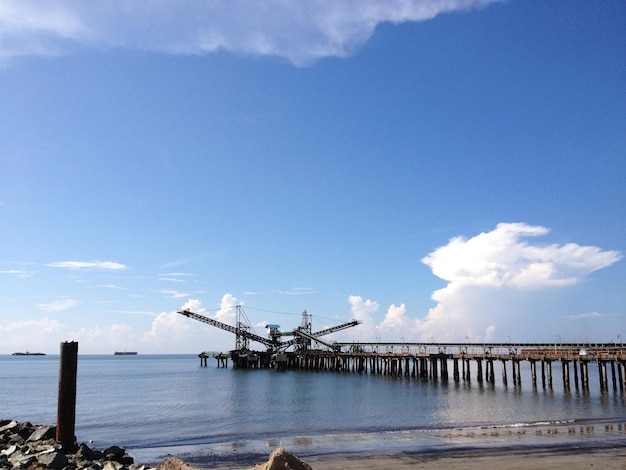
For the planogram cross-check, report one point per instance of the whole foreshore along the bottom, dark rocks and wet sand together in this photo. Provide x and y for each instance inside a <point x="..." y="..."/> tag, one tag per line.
<point x="560" y="447"/>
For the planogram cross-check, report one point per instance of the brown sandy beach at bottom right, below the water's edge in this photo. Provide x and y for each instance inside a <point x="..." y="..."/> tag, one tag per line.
<point x="597" y="446"/>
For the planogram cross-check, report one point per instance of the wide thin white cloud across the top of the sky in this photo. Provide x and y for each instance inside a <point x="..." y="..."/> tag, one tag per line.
<point x="301" y="31"/>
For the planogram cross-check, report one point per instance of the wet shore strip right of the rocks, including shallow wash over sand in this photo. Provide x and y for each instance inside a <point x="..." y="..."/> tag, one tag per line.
<point x="545" y="445"/>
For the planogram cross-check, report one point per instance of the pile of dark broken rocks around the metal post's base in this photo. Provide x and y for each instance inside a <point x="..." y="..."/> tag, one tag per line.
<point x="33" y="447"/>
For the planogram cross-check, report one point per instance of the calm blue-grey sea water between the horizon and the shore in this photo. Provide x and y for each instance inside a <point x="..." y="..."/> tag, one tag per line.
<point x="156" y="405"/>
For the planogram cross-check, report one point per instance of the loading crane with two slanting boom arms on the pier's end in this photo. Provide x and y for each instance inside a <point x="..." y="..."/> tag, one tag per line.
<point x="302" y="336"/>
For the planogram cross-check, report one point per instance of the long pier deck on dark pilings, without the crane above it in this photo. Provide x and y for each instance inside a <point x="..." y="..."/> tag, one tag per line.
<point x="479" y="362"/>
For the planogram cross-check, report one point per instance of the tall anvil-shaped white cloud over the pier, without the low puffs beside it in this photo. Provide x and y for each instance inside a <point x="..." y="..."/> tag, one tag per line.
<point x="489" y="272"/>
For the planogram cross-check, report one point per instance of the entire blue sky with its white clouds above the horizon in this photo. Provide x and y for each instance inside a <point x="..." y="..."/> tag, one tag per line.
<point x="442" y="171"/>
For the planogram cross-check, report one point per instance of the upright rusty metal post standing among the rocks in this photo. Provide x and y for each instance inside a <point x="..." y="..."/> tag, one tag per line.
<point x="66" y="410"/>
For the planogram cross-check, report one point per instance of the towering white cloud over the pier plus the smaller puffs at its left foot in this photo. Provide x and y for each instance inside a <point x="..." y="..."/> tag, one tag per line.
<point x="496" y="283"/>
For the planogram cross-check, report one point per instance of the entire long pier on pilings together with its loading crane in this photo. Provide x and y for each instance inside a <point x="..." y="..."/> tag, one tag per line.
<point x="458" y="362"/>
